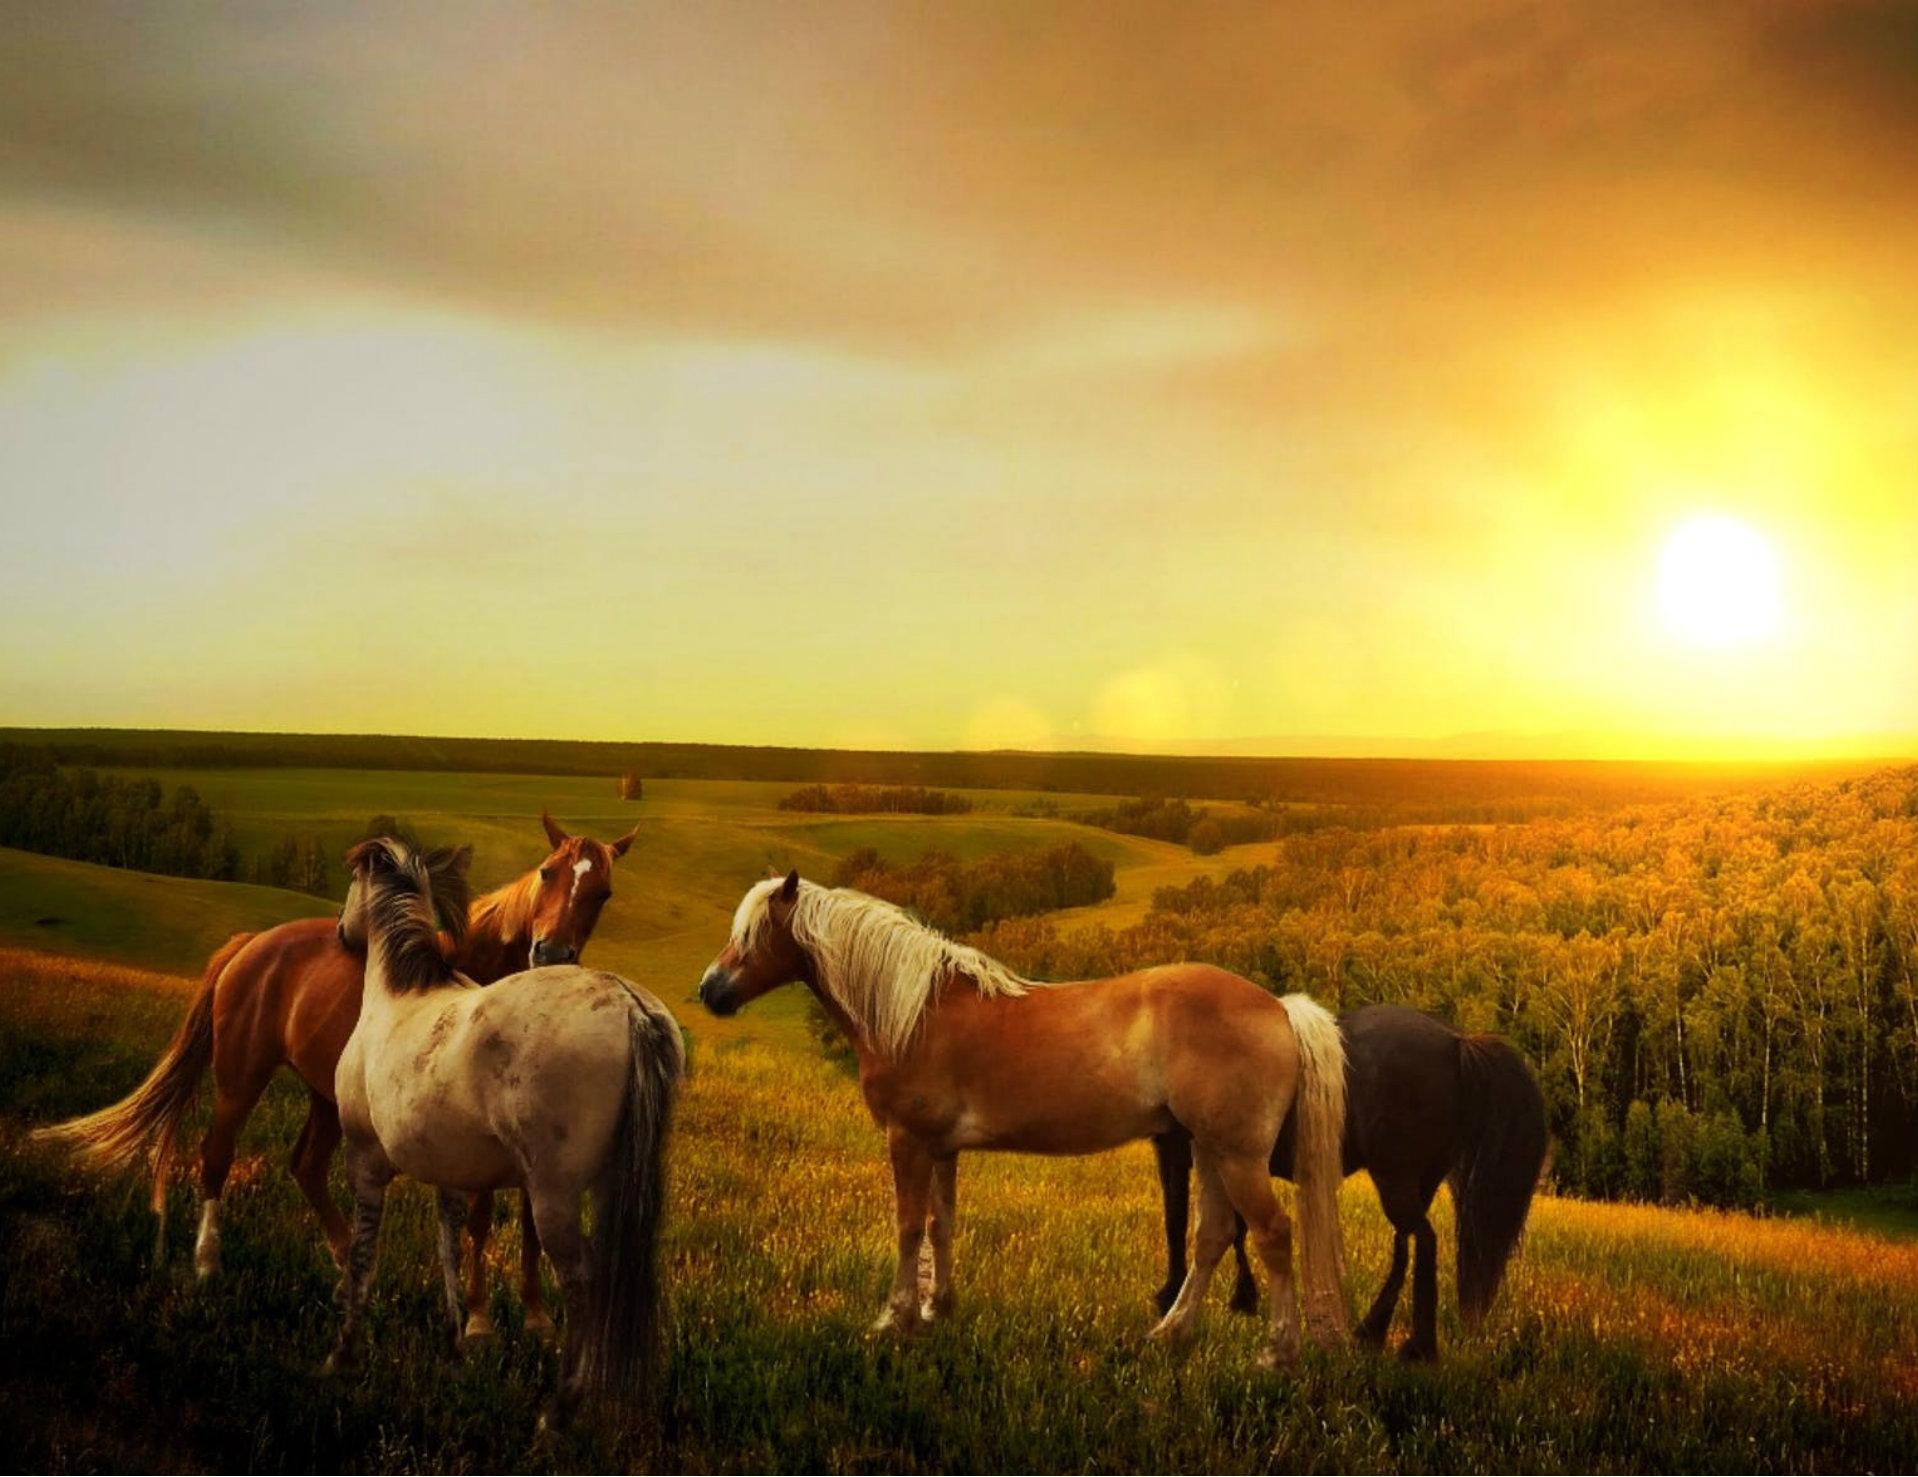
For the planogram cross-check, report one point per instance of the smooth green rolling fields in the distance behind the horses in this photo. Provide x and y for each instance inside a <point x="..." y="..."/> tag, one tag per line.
<point x="701" y="845"/>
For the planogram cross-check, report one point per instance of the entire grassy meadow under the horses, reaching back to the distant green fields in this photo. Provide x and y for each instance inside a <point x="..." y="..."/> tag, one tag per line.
<point x="1627" y="1338"/>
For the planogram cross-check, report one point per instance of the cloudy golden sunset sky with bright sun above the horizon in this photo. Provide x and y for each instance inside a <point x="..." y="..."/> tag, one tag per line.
<point x="1275" y="379"/>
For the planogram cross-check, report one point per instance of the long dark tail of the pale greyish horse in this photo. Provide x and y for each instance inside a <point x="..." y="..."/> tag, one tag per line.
<point x="622" y="1332"/>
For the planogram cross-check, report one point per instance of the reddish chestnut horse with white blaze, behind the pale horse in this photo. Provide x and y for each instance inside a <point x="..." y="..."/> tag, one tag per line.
<point x="289" y="998"/>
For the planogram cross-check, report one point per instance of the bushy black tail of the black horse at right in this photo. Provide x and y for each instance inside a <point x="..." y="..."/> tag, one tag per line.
<point x="1503" y="1146"/>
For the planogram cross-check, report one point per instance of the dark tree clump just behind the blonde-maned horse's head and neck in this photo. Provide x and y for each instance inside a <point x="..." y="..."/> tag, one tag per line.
<point x="960" y="897"/>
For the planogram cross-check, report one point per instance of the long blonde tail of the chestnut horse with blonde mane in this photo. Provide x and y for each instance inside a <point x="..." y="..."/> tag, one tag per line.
<point x="1319" y="1163"/>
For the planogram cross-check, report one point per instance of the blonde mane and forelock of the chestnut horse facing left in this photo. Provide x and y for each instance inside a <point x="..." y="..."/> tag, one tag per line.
<point x="877" y="962"/>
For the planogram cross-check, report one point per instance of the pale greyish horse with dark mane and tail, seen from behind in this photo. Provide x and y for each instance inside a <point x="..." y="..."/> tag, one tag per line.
<point x="559" y="1079"/>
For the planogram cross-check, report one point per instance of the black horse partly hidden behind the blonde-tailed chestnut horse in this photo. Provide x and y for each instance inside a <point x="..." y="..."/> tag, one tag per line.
<point x="1422" y="1106"/>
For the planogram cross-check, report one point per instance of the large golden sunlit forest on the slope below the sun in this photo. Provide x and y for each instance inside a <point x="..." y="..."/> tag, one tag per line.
<point x="1721" y="996"/>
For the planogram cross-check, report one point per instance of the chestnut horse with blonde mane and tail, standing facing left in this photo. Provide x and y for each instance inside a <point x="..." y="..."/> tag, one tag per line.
<point x="956" y="1052"/>
